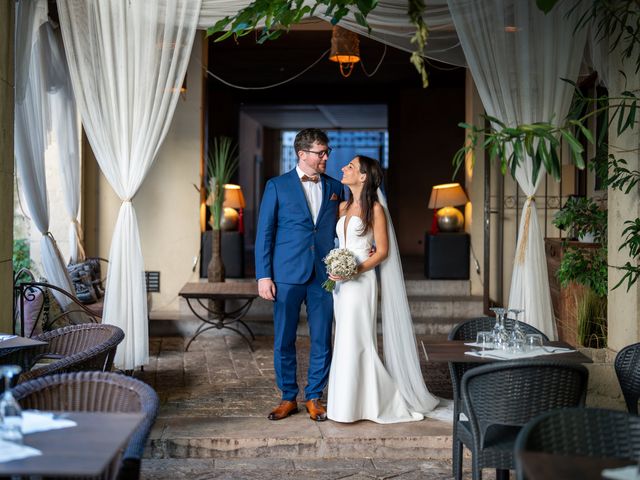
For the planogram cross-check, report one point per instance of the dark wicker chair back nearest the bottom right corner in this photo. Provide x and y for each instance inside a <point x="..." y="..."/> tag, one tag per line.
<point x="588" y="432"/>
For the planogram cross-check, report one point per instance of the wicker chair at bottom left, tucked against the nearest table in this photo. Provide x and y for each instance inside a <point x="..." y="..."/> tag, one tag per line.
<point x="97" y="392"/>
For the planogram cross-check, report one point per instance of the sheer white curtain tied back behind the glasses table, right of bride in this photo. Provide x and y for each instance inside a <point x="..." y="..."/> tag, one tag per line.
<point x="518" y="56"/>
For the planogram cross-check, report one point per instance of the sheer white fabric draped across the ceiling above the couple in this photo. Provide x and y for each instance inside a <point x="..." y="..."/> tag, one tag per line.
<point x="389" y="22"/>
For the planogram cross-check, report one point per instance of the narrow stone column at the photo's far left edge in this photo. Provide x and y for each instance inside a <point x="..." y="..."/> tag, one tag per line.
<point x="7" y="16"/>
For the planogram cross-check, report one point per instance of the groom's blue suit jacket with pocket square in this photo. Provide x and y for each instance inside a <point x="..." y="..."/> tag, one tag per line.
<point x="289" y="247"/>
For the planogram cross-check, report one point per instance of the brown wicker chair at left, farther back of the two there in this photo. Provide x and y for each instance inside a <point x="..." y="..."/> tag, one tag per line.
<point x="88" y="346"/>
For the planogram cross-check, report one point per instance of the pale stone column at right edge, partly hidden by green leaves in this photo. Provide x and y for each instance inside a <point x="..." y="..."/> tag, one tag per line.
<point x="623" y="306"/>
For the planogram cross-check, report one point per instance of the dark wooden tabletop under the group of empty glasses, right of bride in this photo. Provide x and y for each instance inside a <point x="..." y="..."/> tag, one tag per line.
<point x="453" y="351"/>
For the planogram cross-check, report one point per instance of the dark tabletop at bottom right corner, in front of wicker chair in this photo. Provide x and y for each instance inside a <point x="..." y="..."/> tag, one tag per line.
<point x="545" y="466"/>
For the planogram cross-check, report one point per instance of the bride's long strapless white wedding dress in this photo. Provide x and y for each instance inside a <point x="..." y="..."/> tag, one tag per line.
<point x="360" y="387"/>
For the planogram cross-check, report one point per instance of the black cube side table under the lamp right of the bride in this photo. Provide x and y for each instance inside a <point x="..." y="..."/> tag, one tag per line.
<point x="446" y="256"/>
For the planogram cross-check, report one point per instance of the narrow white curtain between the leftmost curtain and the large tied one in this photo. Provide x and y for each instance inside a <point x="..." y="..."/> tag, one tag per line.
<point x="64" y="125"/>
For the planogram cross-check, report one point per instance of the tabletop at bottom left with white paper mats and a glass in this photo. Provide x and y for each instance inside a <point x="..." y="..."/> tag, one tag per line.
<point x="85" y="450"/>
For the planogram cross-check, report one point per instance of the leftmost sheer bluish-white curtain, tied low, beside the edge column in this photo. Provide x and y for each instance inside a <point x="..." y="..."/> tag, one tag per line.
<point x="32" y="123"/>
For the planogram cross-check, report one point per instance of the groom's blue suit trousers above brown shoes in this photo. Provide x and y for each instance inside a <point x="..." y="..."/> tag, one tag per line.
<point x="286" y="315"/>
